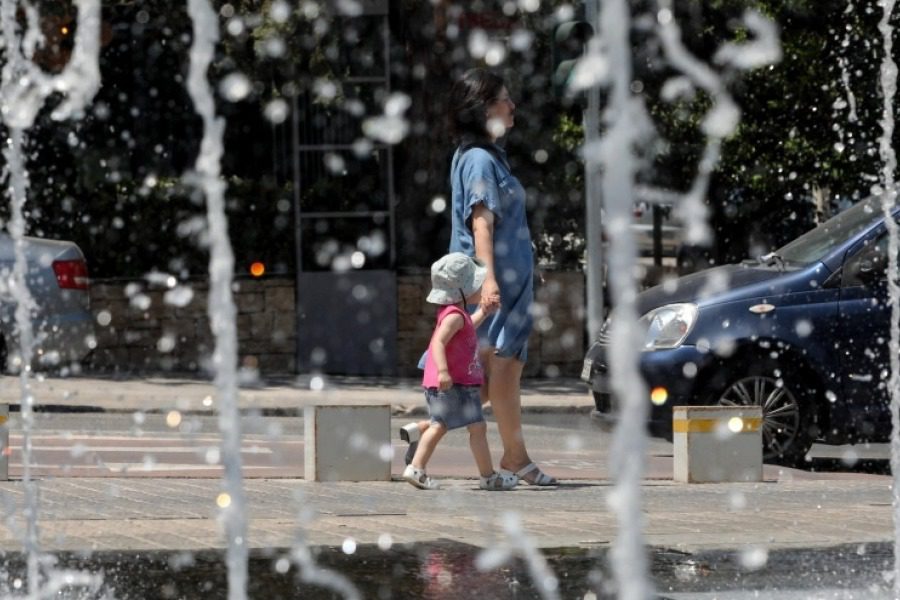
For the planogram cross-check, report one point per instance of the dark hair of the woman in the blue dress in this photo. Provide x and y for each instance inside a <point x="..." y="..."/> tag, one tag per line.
<point x="469" y="99"/>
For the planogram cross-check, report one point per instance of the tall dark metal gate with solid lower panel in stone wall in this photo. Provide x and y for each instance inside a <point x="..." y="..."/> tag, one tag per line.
<point x="346" y="286"/>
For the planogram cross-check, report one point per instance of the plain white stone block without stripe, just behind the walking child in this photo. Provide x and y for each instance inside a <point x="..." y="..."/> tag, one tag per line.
<point x="347" y="443"/>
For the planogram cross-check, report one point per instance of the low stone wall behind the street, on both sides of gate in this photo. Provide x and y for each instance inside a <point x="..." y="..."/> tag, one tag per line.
<point x="146" y="326"/>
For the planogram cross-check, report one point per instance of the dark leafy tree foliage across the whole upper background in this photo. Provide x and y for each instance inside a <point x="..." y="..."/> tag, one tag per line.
<point x="806" y="145"/>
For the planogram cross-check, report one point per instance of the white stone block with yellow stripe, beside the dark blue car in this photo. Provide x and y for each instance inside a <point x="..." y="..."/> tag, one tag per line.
<point x="717" y="443"/>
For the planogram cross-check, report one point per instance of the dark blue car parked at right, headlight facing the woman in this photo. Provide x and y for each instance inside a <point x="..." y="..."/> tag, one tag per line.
<point x="803" y="332"/>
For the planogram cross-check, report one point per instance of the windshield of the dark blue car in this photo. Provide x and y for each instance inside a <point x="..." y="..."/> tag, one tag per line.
<point x="817" y="243"/>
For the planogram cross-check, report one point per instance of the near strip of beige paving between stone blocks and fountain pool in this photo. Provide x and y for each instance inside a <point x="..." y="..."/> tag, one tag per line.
<point x="181" y="514"/>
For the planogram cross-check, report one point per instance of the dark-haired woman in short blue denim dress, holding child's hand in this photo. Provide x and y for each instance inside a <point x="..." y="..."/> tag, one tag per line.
<point x="489" y="222"/>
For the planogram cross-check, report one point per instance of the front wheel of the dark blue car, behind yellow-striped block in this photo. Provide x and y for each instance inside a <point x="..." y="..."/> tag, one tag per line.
<point x="785" y="427"/>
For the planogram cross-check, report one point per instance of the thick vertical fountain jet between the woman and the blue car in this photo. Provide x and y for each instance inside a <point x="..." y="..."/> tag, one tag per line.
<point x="625" y="121"/>
